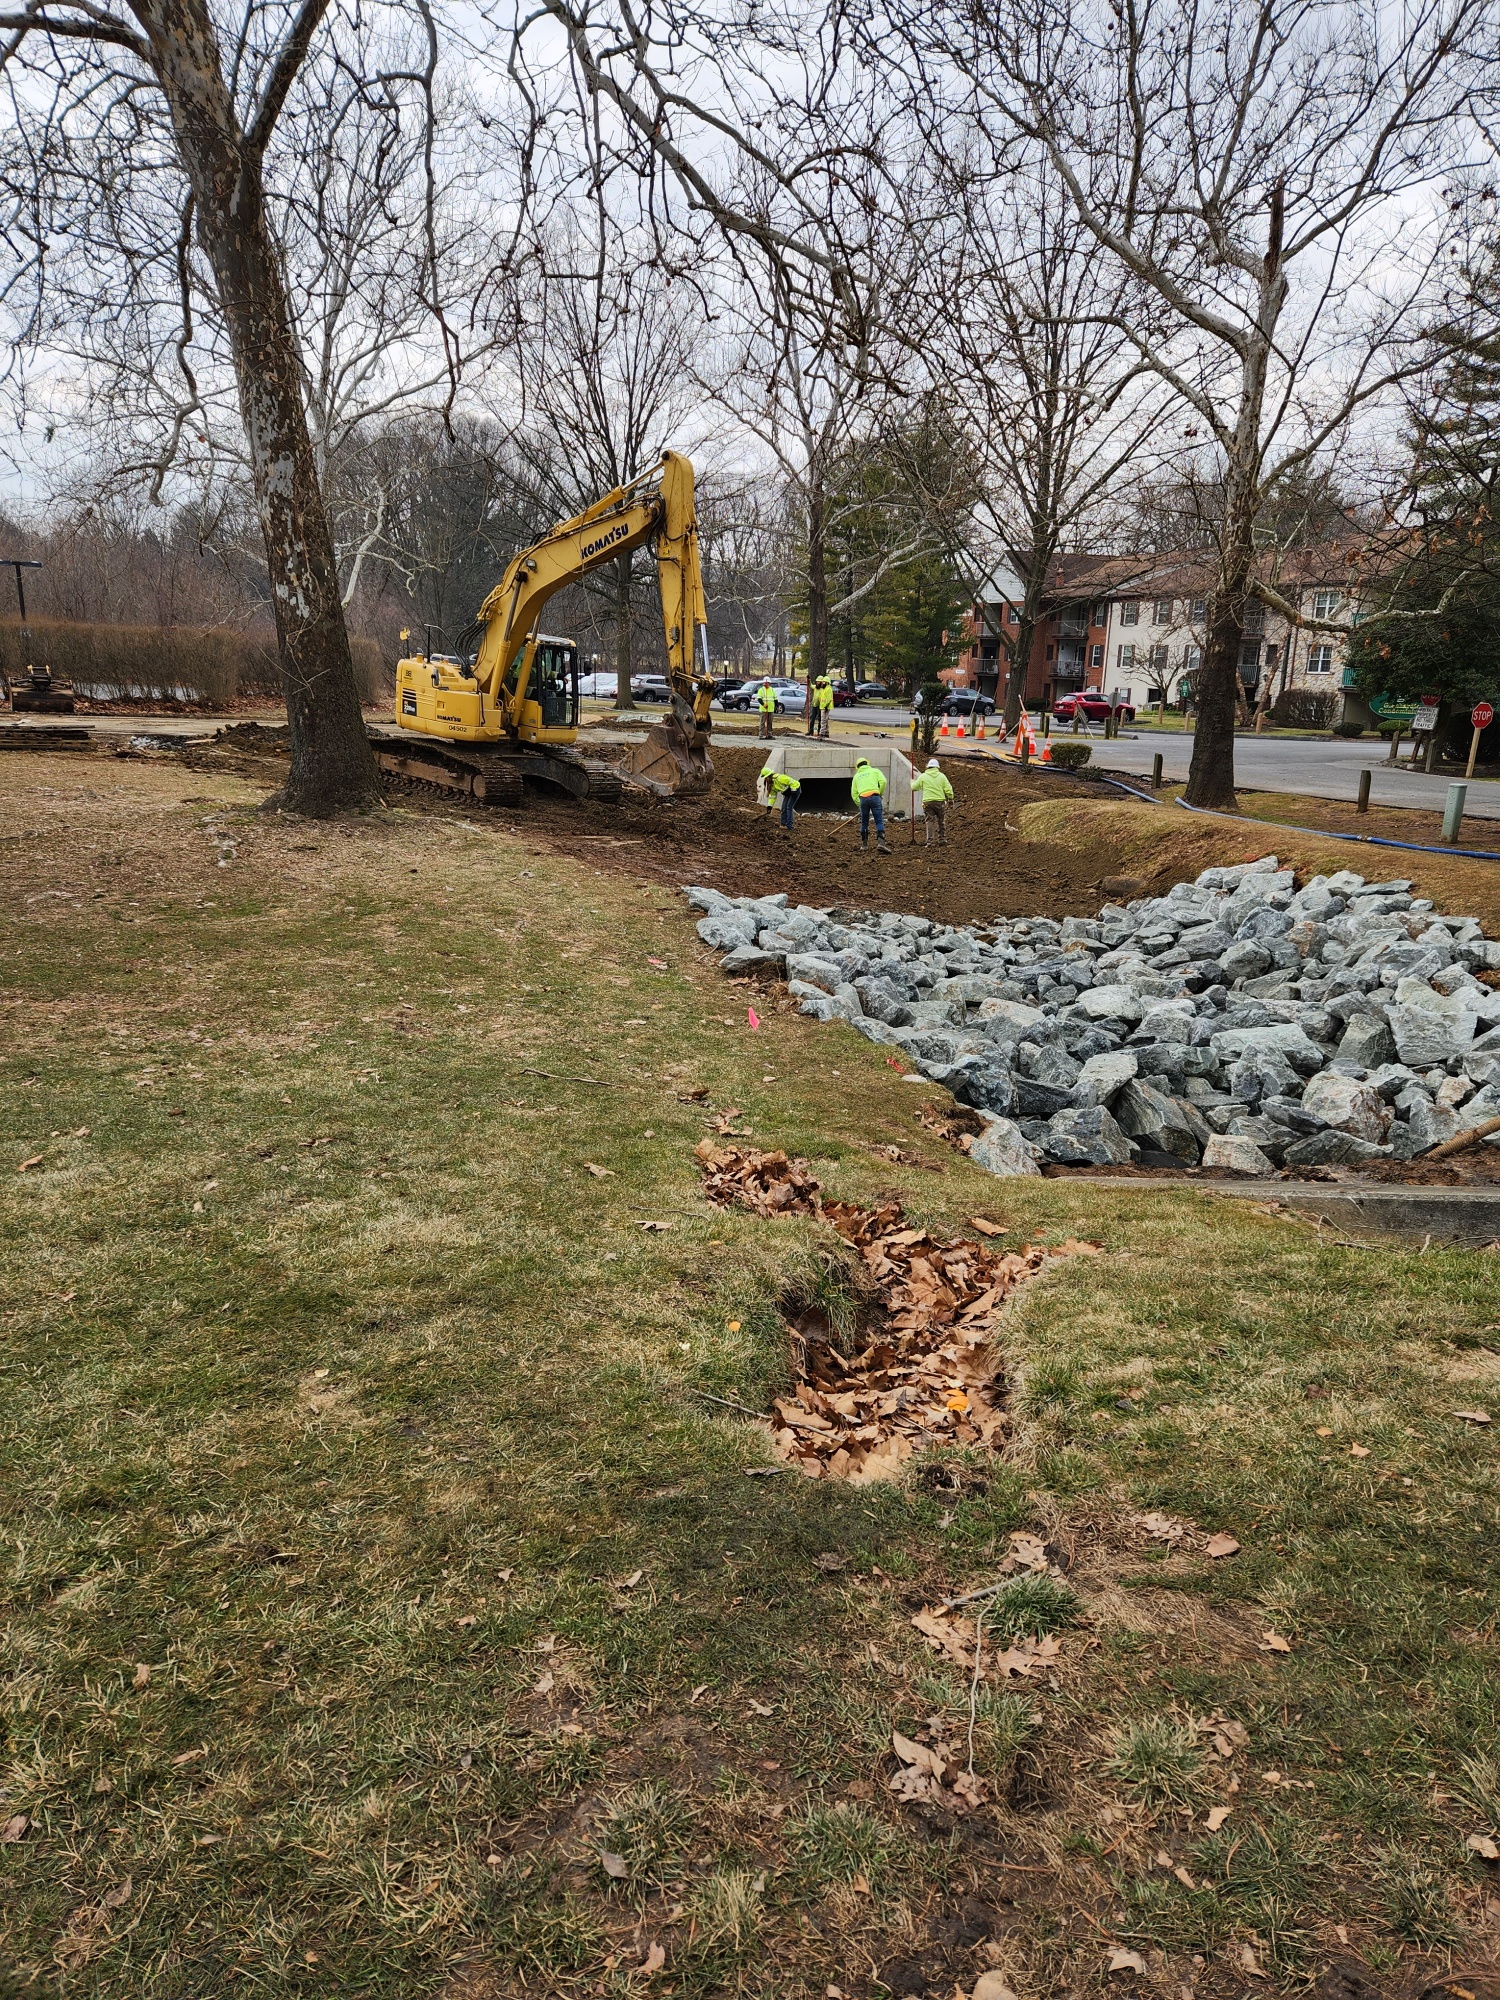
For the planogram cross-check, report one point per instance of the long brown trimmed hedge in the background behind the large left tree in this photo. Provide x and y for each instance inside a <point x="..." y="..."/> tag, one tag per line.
<point x="167" y="663"/>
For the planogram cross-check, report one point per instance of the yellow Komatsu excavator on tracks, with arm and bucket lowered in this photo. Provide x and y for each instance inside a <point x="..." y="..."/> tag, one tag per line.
<point x="483" y="727"/>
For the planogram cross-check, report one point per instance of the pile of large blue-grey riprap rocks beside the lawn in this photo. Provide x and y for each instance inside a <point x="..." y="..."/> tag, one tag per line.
<point x="1235" y="1023"/>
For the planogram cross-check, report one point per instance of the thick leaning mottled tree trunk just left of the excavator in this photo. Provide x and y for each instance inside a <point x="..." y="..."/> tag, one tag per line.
<point x="333" y="767"/>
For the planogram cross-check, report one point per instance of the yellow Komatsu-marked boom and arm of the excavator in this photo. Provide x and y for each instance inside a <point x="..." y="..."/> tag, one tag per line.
<point x="655" y="509"/>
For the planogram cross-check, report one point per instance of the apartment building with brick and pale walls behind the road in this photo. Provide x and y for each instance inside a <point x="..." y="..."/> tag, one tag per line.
<point x="1135" y="625"/>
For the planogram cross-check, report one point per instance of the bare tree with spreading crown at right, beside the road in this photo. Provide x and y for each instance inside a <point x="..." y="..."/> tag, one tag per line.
<point x="1265" y="179"/>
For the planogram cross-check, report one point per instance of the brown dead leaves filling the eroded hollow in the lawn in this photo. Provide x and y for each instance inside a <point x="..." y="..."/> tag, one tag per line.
<point x="925" y="1373"/>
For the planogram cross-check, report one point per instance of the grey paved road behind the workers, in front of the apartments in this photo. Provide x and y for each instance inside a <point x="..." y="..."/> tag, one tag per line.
<point x="1277" y="765"/>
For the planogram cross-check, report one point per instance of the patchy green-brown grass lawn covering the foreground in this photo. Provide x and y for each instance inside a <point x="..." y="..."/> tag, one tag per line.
<point x="389" y="1613"/>
